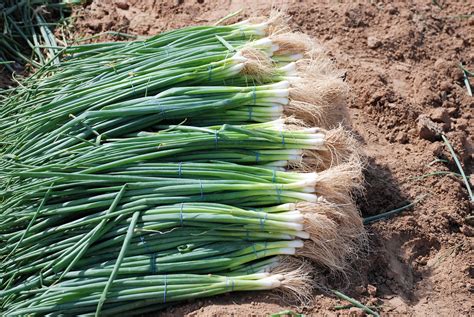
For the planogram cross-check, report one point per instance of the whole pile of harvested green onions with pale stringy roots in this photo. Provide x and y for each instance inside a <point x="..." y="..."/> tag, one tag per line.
<point x="137" y="174"/>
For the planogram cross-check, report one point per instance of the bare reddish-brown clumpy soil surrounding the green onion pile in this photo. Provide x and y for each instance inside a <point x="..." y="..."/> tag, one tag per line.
<point x="402" y="64"/>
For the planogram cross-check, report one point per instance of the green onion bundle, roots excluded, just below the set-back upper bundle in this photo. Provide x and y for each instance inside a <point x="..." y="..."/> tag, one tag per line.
<point x="138" y="114"/>
